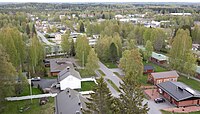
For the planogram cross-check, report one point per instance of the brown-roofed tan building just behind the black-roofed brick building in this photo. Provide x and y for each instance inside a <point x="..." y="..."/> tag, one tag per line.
<point x="160" y="77"/>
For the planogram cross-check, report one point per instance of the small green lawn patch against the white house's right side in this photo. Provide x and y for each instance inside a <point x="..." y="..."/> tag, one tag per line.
<point x="87" y="86"/>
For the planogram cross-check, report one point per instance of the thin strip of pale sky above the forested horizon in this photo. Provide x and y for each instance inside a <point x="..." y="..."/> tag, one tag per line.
<point x="65" y="1"/>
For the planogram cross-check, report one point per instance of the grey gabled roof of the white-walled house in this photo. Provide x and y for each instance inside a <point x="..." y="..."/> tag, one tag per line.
<point x="67" y="72"/>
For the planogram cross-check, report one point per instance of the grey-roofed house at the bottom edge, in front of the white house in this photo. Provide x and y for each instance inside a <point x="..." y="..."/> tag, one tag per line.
<point x="70" y="102"/>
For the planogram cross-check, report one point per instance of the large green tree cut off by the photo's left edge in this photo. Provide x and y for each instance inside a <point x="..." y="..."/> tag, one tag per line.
<point x="7" y="77"/>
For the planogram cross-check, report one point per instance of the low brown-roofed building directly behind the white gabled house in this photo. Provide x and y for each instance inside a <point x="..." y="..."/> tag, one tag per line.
<point x="59" y="64"/>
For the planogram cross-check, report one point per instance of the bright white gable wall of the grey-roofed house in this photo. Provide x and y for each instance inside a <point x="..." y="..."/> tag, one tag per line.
<point x="70" y="82"/>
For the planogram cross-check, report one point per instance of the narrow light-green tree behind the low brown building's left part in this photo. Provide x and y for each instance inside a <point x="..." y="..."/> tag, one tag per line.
<point x="65" y="44"/>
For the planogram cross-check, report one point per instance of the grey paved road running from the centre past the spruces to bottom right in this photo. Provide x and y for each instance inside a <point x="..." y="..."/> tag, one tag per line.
<point x="154" y="108"/>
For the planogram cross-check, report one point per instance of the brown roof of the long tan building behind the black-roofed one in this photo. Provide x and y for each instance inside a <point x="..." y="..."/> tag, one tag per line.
<point x="164" y="74"/>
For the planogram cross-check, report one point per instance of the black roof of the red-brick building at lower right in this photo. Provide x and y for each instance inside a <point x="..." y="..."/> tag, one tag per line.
<point x="179" y="91"/>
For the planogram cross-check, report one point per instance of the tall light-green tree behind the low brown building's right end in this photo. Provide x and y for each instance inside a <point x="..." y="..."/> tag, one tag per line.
<point x="82" y="49"/>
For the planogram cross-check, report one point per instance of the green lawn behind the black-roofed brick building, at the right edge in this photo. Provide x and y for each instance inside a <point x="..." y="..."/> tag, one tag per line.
<point x="190" y="82"/>
